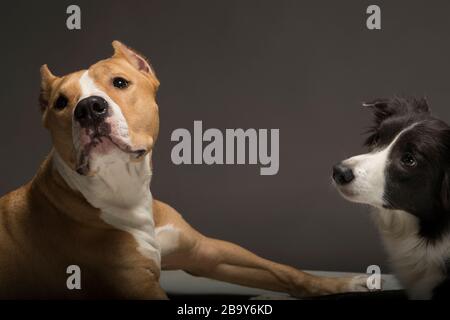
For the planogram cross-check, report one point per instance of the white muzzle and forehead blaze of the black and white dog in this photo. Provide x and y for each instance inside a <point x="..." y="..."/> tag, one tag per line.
<point x="370" y="175"/>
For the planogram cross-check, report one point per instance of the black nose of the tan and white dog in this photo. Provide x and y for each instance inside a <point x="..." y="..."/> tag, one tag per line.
<point x="91" y="110"/>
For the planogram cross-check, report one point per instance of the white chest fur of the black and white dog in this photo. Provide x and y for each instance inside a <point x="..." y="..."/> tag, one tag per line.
<point x="419" y="264"/>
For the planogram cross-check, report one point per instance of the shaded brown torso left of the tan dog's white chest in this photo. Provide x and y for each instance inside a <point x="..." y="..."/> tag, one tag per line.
<point x="46" y="227"/>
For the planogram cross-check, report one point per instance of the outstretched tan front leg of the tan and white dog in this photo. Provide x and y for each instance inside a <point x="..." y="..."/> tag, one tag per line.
<point x="185" y="248"/>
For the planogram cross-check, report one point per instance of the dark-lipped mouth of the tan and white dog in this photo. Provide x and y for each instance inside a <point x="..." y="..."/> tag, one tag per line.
<point x="102" y="144"/>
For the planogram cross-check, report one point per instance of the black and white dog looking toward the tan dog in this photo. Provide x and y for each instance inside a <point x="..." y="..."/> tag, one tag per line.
<point x="406" y="177"/>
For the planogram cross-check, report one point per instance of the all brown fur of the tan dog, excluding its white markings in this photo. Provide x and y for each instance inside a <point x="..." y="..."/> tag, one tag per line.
<point x="45" y="226"/>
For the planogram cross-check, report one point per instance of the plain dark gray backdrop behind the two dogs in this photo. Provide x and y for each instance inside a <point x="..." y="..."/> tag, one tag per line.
<point x="301" y="66"/>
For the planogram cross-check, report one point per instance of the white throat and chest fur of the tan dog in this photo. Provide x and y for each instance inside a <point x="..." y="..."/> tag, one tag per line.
<point x="121" y="190"/>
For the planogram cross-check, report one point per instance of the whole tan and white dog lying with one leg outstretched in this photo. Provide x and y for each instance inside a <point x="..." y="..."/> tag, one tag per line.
<point x="90" y="204"/>
